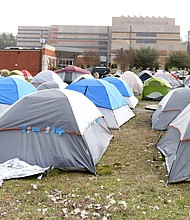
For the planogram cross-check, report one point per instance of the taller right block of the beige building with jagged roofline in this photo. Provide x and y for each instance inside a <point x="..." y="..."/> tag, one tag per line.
<point x="141" y="32"/>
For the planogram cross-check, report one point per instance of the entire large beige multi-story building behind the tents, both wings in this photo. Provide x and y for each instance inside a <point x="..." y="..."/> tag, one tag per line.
<point x="125" y="33"/>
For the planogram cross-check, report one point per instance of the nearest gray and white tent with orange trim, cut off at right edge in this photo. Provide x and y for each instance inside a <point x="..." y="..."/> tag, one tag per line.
<point x="175" y="146"/>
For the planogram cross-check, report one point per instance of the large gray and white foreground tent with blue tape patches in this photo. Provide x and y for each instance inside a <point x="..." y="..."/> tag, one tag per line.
<point x="54" y="127"/>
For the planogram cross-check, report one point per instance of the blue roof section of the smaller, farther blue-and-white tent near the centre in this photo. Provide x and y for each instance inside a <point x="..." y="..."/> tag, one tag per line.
<point x="121" y="85"/>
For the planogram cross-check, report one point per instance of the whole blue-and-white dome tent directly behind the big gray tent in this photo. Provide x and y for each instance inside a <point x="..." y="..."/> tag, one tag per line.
<point x="107" y="98"/>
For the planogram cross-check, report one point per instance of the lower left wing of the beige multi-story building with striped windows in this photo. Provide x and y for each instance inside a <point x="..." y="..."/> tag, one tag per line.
<point x="69" y="41"/>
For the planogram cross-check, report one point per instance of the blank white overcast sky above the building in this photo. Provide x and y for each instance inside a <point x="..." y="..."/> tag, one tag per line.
<point x="16" y="13"/>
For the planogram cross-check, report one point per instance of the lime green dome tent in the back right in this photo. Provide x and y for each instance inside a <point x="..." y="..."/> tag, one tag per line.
<point x="155" y="88"/>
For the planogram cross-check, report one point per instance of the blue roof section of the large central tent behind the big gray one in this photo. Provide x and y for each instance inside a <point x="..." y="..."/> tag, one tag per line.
<point x="101" y="93"/>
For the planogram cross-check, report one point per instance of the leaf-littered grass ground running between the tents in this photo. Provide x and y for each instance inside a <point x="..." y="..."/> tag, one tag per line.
<point x="131" y="184"/>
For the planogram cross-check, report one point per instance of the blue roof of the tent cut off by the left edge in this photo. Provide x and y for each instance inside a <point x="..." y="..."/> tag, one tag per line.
<point x="12" y="89"/>
